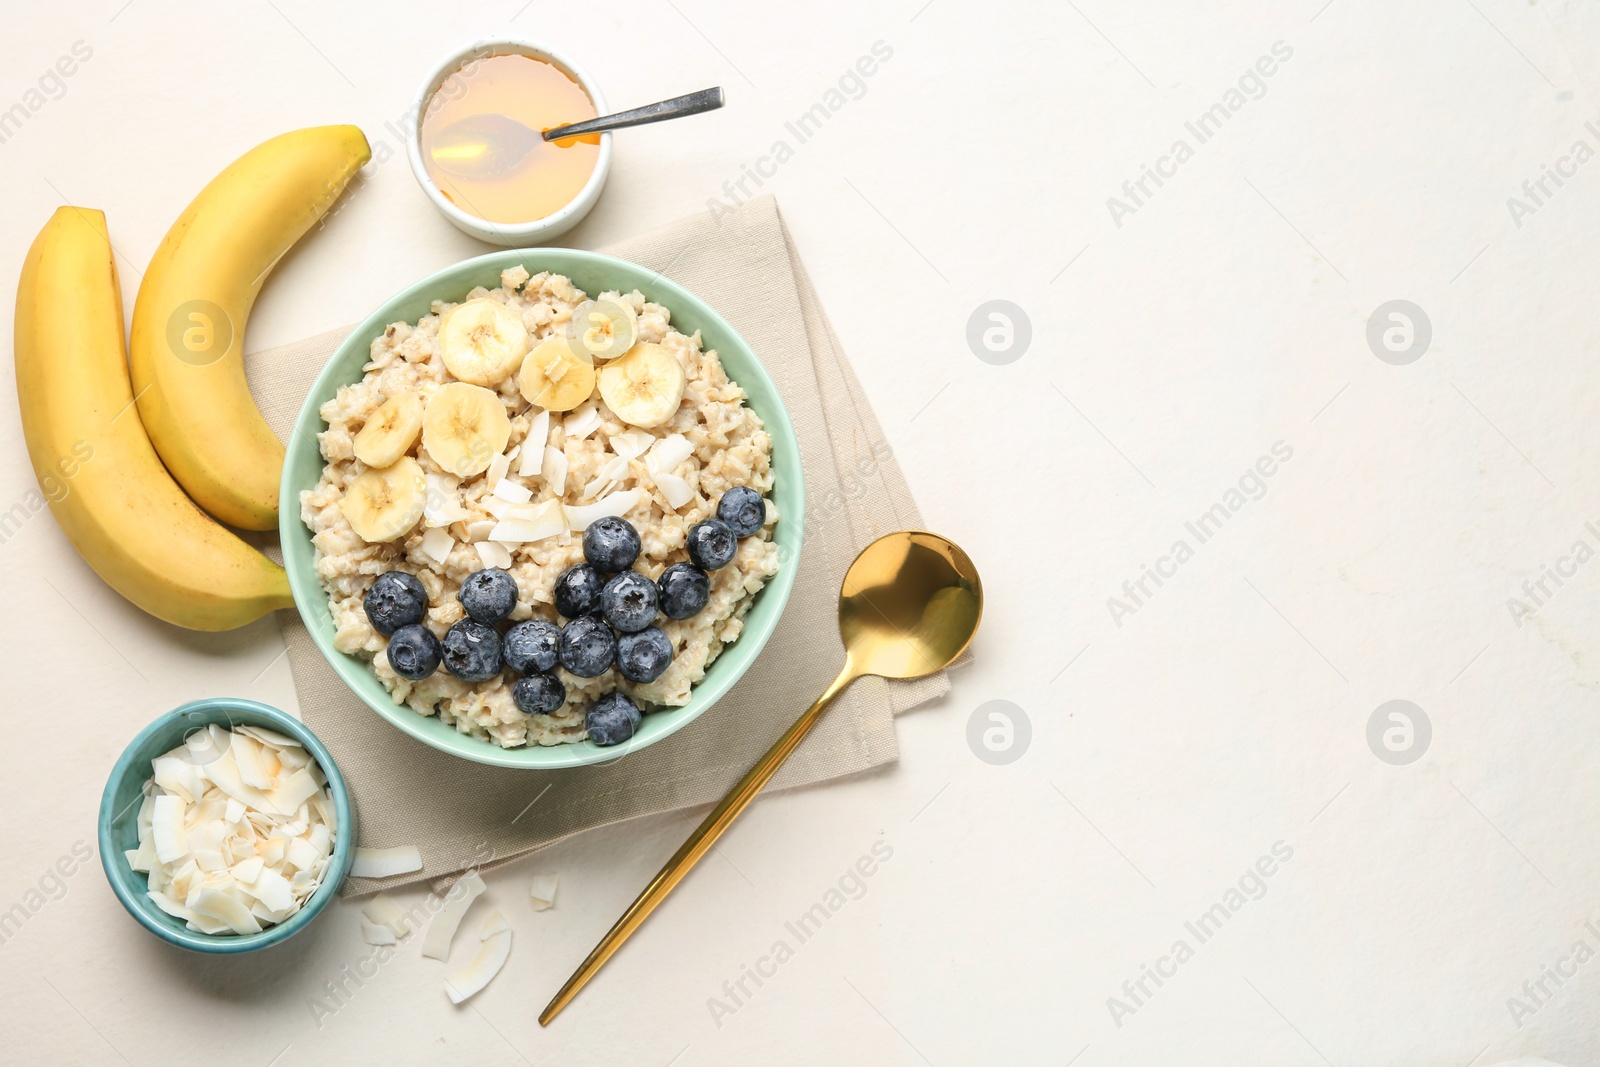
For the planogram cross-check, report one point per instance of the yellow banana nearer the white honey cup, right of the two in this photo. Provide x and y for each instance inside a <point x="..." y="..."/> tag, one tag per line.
<point x="188" y="350"/>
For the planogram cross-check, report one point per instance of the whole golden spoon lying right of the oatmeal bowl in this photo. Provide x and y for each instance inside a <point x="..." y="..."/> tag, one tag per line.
<point x="910" y="607"/>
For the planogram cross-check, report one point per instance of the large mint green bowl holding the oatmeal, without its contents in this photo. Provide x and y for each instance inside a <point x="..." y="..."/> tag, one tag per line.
<point x="594" y="274"/>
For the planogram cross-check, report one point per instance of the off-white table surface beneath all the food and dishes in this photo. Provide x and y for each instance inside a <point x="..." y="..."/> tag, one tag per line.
<point x="1170" y="751"/>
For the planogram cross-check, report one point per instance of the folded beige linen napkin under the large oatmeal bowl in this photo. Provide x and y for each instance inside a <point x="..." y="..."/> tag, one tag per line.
<point x="465" y="815"/>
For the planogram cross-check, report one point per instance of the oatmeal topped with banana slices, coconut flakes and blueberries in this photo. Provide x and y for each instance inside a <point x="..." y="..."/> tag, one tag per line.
<point x="542" y="516"/>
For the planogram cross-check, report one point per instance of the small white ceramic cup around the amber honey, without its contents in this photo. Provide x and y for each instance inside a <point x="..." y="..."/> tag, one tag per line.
<point x="508" y="234"/>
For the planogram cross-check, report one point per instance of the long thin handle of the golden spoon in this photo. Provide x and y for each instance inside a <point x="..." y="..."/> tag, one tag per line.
<point x="700" y="844"/>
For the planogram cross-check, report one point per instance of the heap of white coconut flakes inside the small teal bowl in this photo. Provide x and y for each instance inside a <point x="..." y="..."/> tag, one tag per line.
<point x="234" y="842"/>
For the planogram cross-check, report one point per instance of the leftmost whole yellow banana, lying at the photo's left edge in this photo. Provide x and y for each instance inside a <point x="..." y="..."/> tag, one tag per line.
<point x="105" y="482"/>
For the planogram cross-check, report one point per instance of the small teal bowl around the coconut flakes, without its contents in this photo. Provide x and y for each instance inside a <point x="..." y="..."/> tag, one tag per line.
<point x="119" y="817"/>
